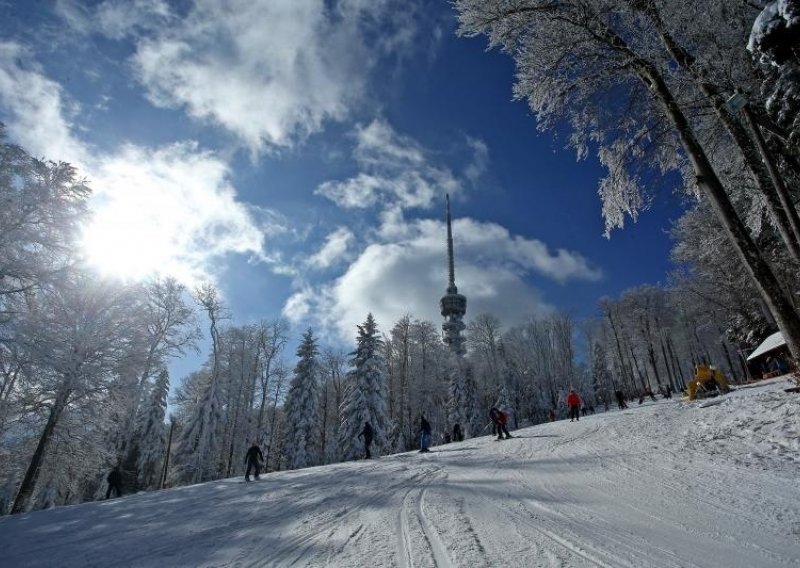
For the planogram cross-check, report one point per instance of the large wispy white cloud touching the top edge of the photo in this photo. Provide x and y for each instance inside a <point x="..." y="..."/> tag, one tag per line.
<point x="271" y="72"/>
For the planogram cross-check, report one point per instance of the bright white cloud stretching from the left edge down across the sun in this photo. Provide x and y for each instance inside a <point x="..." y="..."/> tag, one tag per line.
<point x="169" y="210"/>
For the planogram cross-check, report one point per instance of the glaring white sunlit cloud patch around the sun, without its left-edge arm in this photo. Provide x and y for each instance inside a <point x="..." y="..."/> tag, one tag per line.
<point x="169" y="210"/>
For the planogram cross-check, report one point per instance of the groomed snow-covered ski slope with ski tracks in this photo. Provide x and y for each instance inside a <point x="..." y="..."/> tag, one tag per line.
<point x="662" y="484"/>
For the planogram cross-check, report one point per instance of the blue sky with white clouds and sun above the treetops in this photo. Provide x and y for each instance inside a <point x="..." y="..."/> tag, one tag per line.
<point x="297" y="153"/>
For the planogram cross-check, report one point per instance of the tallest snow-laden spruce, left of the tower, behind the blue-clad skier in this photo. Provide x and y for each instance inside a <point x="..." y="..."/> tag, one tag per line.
<point x="365" y="400"/>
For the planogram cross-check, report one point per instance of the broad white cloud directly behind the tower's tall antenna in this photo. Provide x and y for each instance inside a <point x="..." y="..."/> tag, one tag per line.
<point x="408" y="274"/>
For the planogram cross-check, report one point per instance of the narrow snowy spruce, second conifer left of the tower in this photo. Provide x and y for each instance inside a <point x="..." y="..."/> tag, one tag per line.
<point x="302" y="408"/>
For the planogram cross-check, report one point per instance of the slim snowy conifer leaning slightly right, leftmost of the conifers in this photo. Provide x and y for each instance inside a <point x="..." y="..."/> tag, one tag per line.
<point x="150" y="433"/>
